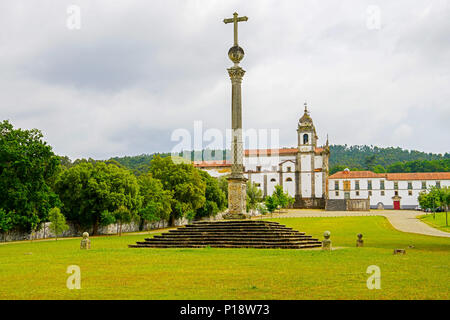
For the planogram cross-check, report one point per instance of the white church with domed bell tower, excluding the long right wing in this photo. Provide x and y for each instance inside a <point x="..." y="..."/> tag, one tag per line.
<point x="301" y="171"/>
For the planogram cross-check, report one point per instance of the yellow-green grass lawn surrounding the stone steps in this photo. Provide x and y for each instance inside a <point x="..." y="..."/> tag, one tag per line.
<point x="111" y="270"/>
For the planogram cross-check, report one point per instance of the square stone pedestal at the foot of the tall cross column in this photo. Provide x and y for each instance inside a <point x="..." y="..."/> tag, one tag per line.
<point x="237" y="198"/>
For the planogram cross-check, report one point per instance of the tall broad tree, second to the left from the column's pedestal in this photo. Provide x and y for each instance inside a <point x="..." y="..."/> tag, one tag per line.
<point x="185" y="183"/>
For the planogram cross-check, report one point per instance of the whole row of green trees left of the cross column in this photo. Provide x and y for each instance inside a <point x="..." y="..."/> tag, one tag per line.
<point x="35" y="184"/>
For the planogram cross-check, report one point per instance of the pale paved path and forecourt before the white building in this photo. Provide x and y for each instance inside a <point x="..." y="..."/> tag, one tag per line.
<point x="402" y="220"/>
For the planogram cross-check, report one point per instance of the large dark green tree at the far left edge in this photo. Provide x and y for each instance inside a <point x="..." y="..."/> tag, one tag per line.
<point x="27" y="168"/>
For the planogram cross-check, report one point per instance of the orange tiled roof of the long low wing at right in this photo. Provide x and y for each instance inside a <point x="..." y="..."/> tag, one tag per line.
<point x="391" y="176"/>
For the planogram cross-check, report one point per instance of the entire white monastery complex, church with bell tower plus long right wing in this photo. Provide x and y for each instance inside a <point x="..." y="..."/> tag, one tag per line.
<point x="303" y="173"/>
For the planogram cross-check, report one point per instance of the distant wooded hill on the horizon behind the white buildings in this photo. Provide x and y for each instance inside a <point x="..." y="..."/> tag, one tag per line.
<point x="341" y="156"/>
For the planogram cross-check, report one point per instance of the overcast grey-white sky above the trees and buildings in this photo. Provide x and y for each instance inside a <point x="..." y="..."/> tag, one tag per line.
<point x="372" y="72"/>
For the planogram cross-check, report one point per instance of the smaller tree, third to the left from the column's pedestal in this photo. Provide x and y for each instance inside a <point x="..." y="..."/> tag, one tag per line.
<point x="156" y="202"/>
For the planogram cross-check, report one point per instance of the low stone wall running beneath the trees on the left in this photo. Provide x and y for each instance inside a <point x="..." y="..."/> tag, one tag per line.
<point x="76" y="231"/>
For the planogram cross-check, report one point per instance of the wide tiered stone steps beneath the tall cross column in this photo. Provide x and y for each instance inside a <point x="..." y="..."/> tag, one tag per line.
<point x="231" y="234"/>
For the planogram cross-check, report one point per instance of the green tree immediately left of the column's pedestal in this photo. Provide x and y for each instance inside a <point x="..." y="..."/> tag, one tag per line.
<point x="215" y="200"/>
